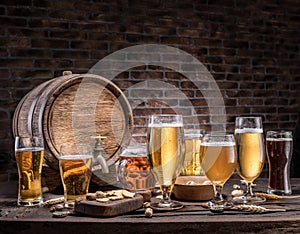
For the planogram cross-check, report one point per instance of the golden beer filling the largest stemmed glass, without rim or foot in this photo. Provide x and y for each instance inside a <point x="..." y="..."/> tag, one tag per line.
<point x="166" y="154"/>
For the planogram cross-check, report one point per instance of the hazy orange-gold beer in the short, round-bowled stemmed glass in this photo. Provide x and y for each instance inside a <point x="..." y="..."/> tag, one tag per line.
<point x="218" y="161"/>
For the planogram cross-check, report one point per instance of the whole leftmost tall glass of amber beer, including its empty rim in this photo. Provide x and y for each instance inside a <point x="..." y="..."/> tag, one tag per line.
<point x="29" y="153"/>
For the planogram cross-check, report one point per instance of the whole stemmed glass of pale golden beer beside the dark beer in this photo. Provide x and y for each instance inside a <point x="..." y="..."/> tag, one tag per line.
<point x="251" y="154"/>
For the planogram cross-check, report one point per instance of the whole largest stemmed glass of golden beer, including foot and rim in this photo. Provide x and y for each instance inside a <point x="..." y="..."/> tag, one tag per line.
<point x="166" y="151"/>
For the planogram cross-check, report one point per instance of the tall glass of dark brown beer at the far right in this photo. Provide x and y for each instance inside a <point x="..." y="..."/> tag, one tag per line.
<point x="279" y="147"/>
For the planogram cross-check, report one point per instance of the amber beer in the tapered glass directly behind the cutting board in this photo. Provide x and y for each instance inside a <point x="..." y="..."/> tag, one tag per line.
<point x="75" y="172"/>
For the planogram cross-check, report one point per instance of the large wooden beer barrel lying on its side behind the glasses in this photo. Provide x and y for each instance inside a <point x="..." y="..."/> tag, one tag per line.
<point x="75" y="108"/>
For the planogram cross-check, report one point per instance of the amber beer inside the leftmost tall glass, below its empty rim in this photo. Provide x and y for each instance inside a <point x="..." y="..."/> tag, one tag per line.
<point x="29" y="162"/>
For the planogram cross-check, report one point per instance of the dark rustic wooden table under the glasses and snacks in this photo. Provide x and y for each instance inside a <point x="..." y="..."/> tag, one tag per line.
<point x="191" y="219"/>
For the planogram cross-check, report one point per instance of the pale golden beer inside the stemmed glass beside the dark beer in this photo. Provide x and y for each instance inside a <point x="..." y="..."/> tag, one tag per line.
<point x="251" y="153"/>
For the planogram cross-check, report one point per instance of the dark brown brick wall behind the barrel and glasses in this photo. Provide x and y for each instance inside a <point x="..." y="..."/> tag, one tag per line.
<point x="250" y="47"/>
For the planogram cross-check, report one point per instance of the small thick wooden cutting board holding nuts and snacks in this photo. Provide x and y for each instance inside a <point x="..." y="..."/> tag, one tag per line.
<point x="110" y="208"/>
